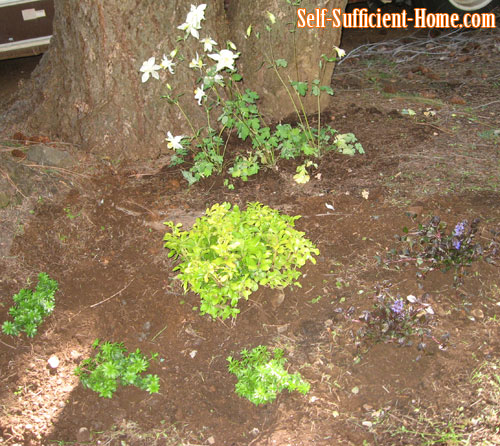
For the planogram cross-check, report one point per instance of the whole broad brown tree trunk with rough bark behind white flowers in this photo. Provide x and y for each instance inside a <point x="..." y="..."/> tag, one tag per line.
<point x="87" y="88"/>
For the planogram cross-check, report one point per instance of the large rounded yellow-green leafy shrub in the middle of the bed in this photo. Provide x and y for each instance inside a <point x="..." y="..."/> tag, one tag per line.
<point x="228" y="253"/>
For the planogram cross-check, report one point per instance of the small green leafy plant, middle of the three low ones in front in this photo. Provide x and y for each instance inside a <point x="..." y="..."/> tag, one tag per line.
<point x="112" y="366"/>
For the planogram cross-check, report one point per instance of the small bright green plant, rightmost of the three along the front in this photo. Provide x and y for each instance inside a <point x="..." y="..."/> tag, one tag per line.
<point x="261" y="377"/>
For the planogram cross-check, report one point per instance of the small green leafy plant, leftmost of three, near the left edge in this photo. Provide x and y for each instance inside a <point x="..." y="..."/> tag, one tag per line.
<point x="31" y="307"/>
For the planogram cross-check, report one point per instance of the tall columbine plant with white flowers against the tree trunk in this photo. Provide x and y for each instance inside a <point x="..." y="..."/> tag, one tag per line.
<point x="218" y="93"/>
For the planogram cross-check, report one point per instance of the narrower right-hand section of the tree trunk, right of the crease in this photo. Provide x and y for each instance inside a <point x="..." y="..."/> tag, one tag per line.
<point x="301" y="48"/>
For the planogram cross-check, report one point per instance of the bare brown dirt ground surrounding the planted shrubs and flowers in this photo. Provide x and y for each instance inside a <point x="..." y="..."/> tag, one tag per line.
<point x="362" y="391"/>
